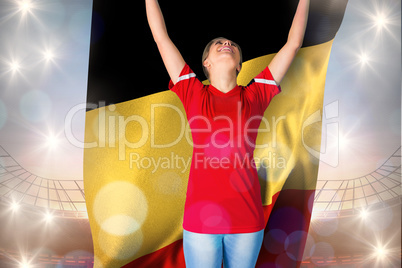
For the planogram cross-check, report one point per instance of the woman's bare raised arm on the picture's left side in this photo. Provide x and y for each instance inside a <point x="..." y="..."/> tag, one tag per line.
<point x="171" y="56"/>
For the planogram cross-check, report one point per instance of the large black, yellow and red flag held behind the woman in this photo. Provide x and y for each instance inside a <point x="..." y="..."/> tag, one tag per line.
<point x="138" y="148"/>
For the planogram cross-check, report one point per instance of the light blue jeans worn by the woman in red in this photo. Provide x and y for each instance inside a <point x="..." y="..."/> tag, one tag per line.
<point x="208" y="250"/>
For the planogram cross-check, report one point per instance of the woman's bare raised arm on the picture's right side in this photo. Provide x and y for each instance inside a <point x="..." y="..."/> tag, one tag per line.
<point x="283" y="59"/>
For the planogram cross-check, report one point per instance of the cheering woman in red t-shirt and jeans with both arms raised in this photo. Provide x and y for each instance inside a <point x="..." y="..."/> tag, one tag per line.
<point x="223" y="216"/>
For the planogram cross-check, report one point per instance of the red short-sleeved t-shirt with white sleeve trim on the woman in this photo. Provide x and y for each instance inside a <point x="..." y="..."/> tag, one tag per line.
<point x="223" y="193"/>
